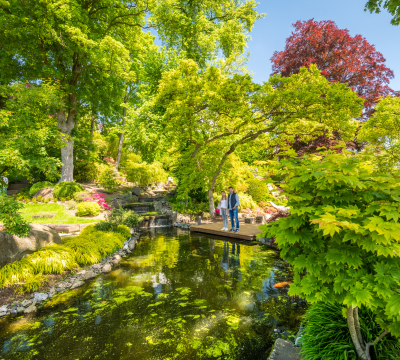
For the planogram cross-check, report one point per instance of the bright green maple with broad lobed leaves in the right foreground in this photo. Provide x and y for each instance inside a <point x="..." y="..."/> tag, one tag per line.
<point x="342" y="237"/>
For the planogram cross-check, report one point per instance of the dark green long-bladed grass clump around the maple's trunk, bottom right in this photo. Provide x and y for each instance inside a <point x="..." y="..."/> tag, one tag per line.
<point x="326" y="334"/>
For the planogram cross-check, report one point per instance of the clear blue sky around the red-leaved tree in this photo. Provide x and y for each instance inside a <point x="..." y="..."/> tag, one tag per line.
<point x="269" y="34"/>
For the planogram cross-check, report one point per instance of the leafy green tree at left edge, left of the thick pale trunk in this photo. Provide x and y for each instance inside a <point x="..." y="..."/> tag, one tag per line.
<point x="28" y="130"/>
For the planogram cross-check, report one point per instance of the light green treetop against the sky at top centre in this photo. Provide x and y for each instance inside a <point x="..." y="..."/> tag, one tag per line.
<point x="201" y="28"/>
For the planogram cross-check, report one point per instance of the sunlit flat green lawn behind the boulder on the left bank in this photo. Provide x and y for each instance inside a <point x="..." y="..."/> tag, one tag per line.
<point x="62" y="216"/>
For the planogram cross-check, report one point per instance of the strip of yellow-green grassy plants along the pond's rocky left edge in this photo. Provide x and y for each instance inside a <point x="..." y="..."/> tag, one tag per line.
<point x="88" y="248"/>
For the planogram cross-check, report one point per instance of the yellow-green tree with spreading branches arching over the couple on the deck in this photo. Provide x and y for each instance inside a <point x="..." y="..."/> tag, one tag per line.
<point x="211" y="114"/>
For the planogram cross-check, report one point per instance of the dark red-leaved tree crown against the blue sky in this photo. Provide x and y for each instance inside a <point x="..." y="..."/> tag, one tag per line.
<point x="340" y="57"/>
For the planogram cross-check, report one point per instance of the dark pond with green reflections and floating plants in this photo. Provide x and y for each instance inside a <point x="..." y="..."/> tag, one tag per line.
<point x="178" y="296"/>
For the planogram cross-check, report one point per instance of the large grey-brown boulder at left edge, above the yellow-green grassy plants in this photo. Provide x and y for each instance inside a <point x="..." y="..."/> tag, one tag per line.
<point x="14" y="248"/>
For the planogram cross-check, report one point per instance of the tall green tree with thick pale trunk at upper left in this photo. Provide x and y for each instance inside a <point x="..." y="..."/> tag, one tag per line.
<point x="73" y="41"/>
